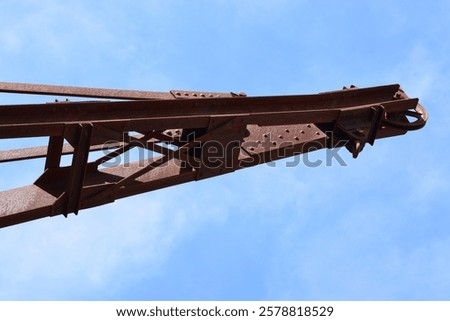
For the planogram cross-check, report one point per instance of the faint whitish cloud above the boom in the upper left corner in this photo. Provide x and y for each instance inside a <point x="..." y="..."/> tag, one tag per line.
<point x="61" y="37"/>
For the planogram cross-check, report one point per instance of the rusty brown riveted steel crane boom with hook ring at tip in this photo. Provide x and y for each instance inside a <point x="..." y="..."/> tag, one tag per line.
<point x="186" y="135"/>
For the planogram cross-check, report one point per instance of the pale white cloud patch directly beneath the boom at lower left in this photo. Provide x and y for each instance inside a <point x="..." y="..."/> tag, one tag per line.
<point x="100" y="249"/>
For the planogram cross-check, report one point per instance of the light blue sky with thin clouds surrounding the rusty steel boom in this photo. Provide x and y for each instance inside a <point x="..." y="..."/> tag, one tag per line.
<point x="377" y="229"/>
